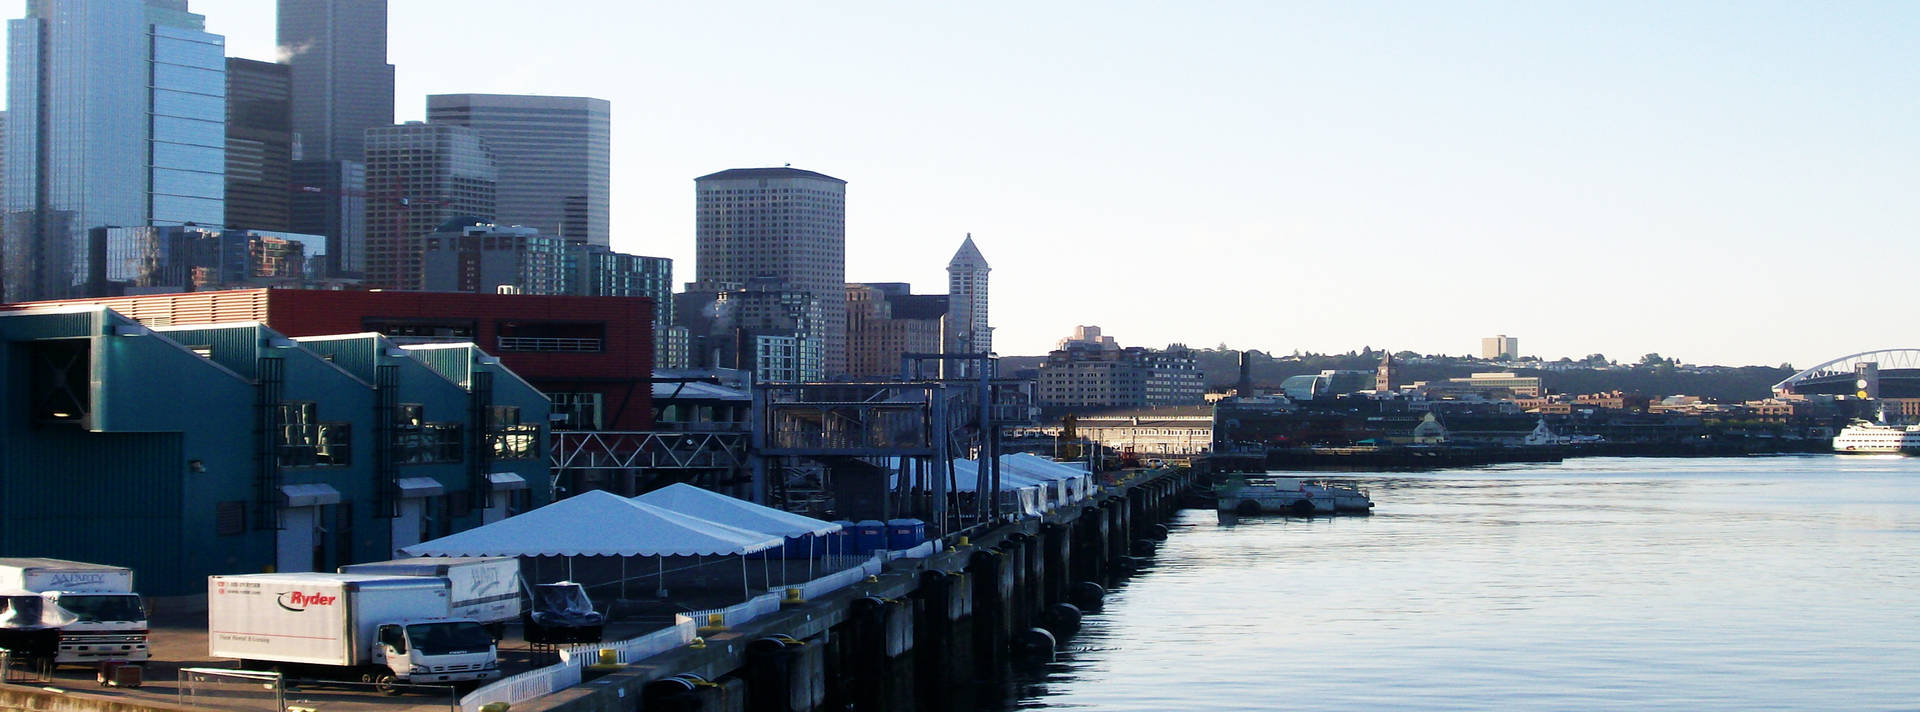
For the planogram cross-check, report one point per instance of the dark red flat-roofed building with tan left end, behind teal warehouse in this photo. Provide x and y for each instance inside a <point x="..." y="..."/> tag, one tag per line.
<point x="592" y="356"/>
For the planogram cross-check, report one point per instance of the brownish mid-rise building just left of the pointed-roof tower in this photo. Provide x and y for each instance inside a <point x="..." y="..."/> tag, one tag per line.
<point x="888" y="321"/>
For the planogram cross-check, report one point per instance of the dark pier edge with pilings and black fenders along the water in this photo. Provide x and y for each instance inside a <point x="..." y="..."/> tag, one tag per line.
<point x="928" y="634"/>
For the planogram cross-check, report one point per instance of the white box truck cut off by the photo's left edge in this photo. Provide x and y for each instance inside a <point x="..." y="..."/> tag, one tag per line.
<point x="108" y="617"/>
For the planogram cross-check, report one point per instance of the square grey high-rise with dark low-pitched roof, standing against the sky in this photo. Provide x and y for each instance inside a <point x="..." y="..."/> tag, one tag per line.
<point x="782" y="224"/>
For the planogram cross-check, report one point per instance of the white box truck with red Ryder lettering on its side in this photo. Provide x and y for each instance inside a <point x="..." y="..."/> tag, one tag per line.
<point x="389" y="630"/>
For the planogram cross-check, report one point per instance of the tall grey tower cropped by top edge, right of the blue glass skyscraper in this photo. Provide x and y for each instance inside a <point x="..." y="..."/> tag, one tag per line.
<point x="343" y="85"/>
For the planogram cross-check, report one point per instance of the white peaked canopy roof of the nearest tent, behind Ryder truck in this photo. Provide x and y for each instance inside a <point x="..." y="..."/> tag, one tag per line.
<point x="598" y="525"/>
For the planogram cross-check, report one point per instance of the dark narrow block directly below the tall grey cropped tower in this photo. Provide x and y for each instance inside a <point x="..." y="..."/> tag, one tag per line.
<point x="331" y="199"/>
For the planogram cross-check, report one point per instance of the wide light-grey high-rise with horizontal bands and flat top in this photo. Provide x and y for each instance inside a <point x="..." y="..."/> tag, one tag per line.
<point x="552" y="153"/>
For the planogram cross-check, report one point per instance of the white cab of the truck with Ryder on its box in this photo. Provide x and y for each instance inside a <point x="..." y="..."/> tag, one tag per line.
<point x="435" y="652"/>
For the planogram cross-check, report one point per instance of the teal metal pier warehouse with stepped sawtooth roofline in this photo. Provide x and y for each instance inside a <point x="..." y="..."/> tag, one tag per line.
<point x="231" y="448"/>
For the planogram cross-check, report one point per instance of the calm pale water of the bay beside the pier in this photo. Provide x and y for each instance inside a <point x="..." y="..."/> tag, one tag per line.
<point x="1598" y="584"/>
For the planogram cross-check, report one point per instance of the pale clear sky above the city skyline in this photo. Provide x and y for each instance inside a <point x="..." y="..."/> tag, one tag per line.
<point x="1714" y="181"/>
